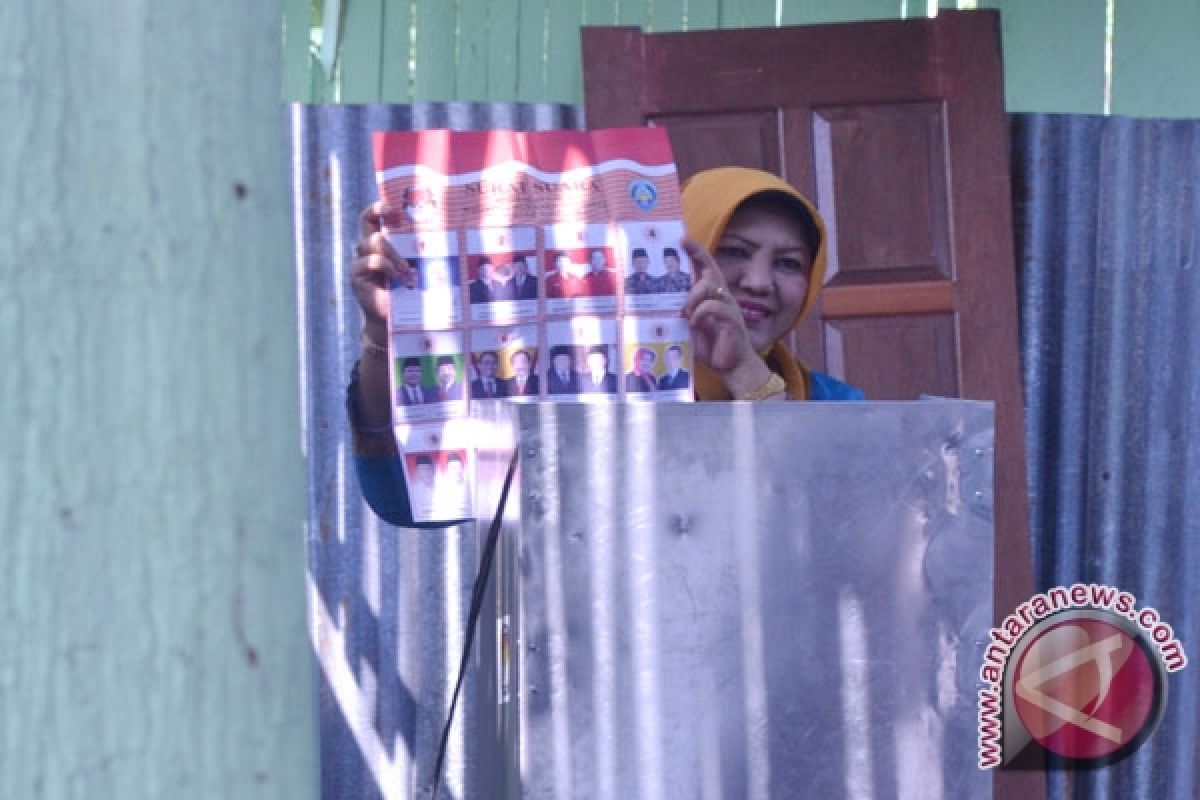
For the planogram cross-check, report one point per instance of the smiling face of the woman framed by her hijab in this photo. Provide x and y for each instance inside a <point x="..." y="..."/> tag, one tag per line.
<point x="766" y="263"/>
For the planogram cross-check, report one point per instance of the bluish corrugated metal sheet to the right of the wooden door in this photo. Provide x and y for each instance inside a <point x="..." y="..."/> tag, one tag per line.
<point x="1108" y="232"/>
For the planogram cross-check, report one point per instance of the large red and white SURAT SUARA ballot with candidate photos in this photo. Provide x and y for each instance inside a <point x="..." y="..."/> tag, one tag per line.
<point x="545" y="267"/>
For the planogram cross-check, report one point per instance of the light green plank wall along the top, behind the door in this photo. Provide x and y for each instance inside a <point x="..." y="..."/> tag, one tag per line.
<point x="530" y="51"/>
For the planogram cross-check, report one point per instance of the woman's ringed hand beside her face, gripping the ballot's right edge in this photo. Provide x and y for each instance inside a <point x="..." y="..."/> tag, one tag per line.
<point x="719" y="334"/>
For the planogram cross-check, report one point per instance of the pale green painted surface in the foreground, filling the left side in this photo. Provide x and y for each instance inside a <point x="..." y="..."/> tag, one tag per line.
<point x="152" y="584"/>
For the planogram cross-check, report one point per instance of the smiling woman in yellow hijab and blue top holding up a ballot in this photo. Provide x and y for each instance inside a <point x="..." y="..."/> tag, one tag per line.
<point x="759" y="254"/>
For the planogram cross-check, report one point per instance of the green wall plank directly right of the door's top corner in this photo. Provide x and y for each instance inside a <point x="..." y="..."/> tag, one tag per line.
<point x="1054" y="56"/>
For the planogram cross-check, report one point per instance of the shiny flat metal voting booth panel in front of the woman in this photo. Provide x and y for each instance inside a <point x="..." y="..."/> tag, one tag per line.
<point x="737" y="600"/>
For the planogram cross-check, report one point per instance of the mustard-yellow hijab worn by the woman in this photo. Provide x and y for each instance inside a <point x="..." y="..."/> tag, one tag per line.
<point x="710" y="200"/>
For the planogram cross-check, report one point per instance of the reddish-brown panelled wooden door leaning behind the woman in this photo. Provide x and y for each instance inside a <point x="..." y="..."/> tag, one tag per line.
<point x="897" y="130"/>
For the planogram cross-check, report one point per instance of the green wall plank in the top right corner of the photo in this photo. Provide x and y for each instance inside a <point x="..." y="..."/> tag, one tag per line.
<point x="1156" y="59"/>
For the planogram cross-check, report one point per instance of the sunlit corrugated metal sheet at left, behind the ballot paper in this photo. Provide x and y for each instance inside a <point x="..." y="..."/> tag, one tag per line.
<point x="387" y="607"/>
